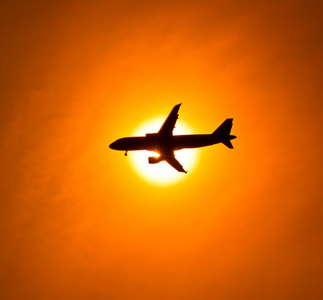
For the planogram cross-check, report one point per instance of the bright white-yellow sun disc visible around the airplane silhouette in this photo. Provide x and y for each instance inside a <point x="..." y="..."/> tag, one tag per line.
<point x="162" y="174"/>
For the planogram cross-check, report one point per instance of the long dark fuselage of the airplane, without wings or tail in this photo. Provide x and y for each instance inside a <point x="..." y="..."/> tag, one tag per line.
<point x="153" y="142"/>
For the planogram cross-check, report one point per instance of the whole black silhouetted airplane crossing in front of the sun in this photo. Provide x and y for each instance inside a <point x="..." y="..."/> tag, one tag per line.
<point x="165" y="143"/>
